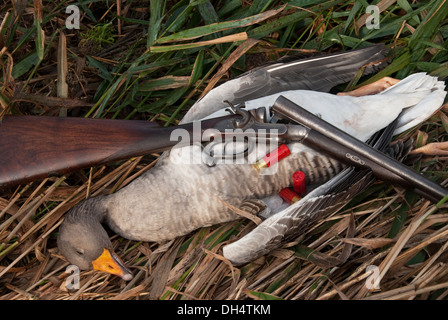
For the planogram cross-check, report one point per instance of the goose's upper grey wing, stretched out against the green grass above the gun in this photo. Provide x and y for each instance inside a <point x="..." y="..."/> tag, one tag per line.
<point x="320" y="73"/>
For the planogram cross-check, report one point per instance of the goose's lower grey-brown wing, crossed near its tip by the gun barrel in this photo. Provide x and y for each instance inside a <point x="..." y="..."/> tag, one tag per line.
<point x="327" y="198"/>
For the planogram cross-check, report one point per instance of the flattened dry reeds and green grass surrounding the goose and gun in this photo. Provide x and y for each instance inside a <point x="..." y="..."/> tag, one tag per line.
<point x="157" y="59"/>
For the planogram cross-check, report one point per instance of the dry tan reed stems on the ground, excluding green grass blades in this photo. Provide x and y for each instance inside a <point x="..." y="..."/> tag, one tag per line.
<point x="192" y="267"/>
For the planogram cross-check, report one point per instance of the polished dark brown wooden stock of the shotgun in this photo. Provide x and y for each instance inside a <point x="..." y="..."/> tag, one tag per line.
<point x="35" y="147"/>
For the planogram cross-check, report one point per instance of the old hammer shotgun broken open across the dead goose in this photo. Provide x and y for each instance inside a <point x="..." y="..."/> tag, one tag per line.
<point x="37" y="147"/>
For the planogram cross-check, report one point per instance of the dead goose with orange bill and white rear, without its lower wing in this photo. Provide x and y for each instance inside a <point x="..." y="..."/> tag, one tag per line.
<point x="175" y="198"/>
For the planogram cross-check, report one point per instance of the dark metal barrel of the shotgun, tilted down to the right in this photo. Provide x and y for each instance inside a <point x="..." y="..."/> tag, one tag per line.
<point x="361" y="153"/>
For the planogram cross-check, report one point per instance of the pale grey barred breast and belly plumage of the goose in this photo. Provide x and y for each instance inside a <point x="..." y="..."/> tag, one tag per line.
<point x="174" y="199"/>
